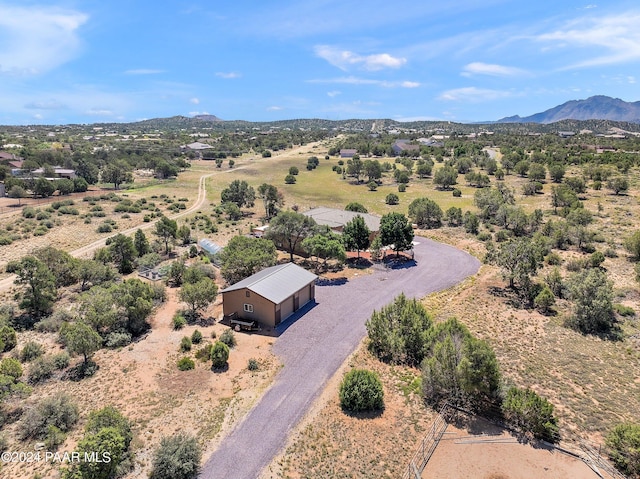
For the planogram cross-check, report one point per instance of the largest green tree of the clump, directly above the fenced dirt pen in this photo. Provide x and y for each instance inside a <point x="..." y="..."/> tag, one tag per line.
<point x="458" y="368"/>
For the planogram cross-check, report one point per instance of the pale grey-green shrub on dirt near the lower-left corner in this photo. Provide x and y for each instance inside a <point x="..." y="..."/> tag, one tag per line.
<point x="58" y="410"/>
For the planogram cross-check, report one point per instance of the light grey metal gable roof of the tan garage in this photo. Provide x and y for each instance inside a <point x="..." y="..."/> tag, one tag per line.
<point x="276" y="283"/>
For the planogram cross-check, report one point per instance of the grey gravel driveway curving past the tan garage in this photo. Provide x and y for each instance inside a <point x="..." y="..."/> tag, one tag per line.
<point x="314" y="346"/>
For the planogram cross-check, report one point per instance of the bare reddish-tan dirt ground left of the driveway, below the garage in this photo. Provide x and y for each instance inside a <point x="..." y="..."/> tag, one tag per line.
<point x="142" y="380"/>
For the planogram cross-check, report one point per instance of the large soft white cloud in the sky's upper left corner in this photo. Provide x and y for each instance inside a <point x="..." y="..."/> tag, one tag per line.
<point x="36" y="39"/>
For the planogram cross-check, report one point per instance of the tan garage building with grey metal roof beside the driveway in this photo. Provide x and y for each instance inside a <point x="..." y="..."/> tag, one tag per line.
<point x="271" y="295"/>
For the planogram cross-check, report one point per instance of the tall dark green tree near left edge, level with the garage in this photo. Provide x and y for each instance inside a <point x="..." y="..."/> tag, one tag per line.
<point x="40" y="292"/>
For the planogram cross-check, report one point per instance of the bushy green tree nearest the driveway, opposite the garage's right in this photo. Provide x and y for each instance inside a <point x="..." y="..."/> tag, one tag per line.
<point x="397" y="332"/>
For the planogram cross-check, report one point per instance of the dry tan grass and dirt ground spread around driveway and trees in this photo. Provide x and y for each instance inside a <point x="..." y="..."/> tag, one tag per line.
<point x="593" y="383"/>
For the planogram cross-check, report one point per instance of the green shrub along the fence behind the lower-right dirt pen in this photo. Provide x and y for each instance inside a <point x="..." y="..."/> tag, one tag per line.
<point x="529" y="412"/>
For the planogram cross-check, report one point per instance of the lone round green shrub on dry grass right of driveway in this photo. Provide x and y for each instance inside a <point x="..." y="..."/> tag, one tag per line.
<point x="361" y="390"/>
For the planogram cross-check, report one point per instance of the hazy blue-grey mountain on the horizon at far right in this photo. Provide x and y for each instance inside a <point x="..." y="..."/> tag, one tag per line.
<point x="594" y="108"/>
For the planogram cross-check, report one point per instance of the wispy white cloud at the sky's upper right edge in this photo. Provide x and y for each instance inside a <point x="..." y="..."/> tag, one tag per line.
<point x="617" y="35"/>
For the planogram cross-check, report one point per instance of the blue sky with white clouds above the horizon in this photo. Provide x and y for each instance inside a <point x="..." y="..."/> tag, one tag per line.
<point x="86" y="61"/>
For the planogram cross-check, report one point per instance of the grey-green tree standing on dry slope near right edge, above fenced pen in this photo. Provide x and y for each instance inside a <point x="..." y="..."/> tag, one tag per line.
<point x="592" y="295"/>
